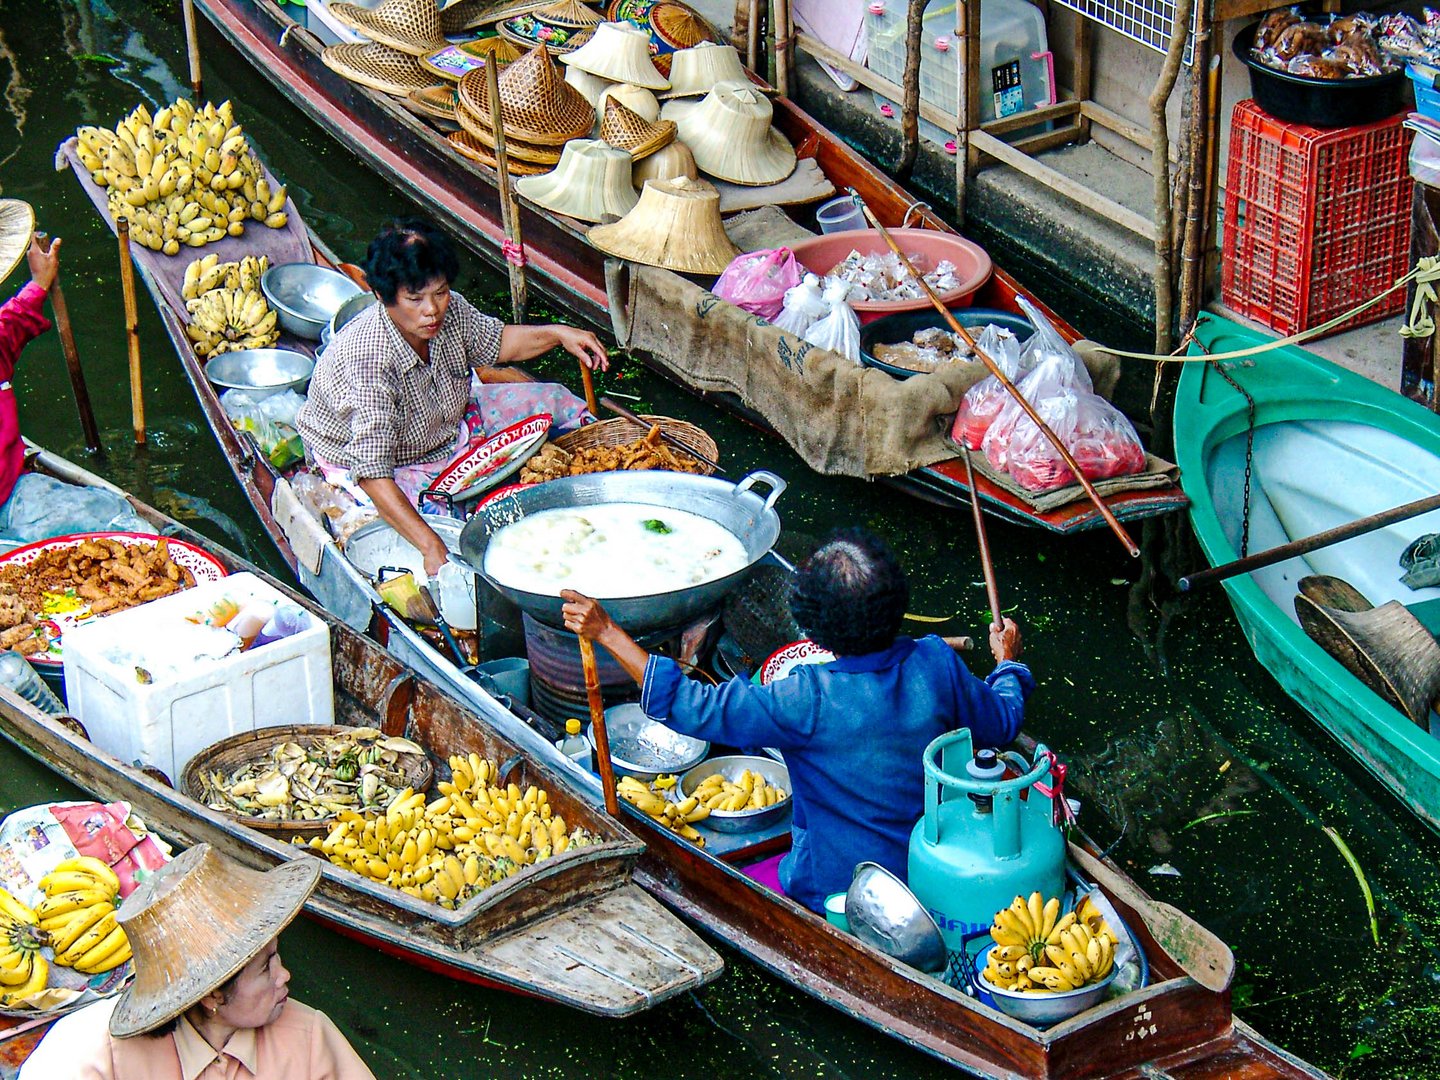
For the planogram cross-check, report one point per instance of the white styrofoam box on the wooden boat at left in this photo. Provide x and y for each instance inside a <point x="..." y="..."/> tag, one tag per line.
<point x="189" y="708"/>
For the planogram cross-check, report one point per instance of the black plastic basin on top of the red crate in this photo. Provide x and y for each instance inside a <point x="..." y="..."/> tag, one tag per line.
<point x="1321" y="103"/>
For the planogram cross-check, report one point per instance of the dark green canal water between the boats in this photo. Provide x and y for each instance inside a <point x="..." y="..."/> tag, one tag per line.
<point x="1209" y="783"/>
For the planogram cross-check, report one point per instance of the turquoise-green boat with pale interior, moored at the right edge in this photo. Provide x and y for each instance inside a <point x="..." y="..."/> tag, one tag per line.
<point x="1330" y="447"/>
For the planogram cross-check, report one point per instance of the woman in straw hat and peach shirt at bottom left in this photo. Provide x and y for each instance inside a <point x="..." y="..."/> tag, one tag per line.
<point x="210" y="1000"/>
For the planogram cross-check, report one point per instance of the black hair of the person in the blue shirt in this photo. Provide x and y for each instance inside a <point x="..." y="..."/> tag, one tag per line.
<point x="852" y="595"/>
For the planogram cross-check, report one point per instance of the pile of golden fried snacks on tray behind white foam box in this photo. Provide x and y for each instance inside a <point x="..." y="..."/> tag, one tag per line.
<point x="102" y="574"/>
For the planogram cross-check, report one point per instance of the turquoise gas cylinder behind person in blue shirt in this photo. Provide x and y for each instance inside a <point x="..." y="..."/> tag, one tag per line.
<point x="980" y="845"/>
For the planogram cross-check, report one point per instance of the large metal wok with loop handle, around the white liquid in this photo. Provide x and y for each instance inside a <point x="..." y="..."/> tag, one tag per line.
<point x="735" y="506"/>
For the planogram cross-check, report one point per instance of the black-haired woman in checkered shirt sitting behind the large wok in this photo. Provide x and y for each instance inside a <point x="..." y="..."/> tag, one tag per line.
<point x="401" y="379"/>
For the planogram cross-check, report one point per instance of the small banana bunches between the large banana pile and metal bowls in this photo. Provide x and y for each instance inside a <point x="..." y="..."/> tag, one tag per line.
<point x="228" y="310"/>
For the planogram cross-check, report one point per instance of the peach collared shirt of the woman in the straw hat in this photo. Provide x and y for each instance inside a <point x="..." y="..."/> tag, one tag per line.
<point x="302" y="1045"/>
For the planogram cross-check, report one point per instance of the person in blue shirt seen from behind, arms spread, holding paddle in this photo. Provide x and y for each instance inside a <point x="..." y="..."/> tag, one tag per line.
<point x="853" y="731"/>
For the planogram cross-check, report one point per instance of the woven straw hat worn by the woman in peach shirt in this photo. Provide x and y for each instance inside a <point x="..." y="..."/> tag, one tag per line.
<point x="198" y="922"/>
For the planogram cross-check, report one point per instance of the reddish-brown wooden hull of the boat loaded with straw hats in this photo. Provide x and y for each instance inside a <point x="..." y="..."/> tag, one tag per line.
<point x="463" y="197"/>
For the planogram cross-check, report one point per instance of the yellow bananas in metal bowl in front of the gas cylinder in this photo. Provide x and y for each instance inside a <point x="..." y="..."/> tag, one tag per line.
<point x="1040" y="951"/>
